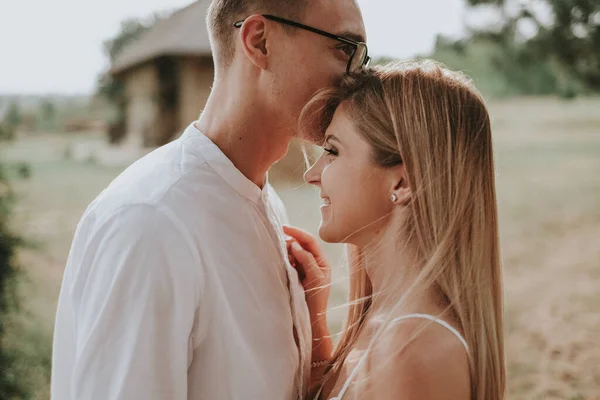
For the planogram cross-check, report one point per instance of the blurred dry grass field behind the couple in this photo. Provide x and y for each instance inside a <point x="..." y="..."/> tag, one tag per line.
<point x="548" y="182"/>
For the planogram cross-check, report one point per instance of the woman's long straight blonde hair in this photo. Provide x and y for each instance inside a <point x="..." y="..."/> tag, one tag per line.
<point x="433" y="121"/>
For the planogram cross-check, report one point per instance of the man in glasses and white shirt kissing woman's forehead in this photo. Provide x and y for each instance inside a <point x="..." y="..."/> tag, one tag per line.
<point x="177" y="284"/>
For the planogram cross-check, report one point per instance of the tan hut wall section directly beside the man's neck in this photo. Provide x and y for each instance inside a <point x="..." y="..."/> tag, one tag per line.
<point x="196" y="78"/>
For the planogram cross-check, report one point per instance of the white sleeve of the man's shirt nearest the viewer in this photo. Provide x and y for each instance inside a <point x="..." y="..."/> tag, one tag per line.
<point x="135" y="298"/>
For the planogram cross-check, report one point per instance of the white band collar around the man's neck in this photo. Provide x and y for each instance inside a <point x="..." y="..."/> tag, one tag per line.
<point x="212" y="154"/>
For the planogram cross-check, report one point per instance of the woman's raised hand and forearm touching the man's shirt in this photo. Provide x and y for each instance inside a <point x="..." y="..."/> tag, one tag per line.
<point x="314" y="272"/>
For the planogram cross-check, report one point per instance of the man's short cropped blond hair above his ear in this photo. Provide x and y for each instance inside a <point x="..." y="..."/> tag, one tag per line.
<point x="222" y="14"/>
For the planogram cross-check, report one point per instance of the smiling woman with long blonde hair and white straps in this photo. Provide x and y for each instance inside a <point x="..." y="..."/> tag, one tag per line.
<point x="407" y="182"/>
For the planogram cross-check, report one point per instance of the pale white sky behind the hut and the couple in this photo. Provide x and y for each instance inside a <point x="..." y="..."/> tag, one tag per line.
<point x="55" y="46"/>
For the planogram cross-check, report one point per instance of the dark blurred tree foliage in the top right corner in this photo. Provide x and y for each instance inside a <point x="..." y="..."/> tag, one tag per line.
<point x="567" y="34"/>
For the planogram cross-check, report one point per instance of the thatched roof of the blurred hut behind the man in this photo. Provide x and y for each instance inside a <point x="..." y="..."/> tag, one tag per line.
<point x="183" y="33"/>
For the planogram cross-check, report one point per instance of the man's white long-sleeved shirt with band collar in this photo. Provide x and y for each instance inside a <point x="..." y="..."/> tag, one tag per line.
<point x="178" y="287"/>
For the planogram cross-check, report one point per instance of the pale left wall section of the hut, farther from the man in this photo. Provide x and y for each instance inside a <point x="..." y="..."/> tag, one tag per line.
<point x="141" y="88"/>
